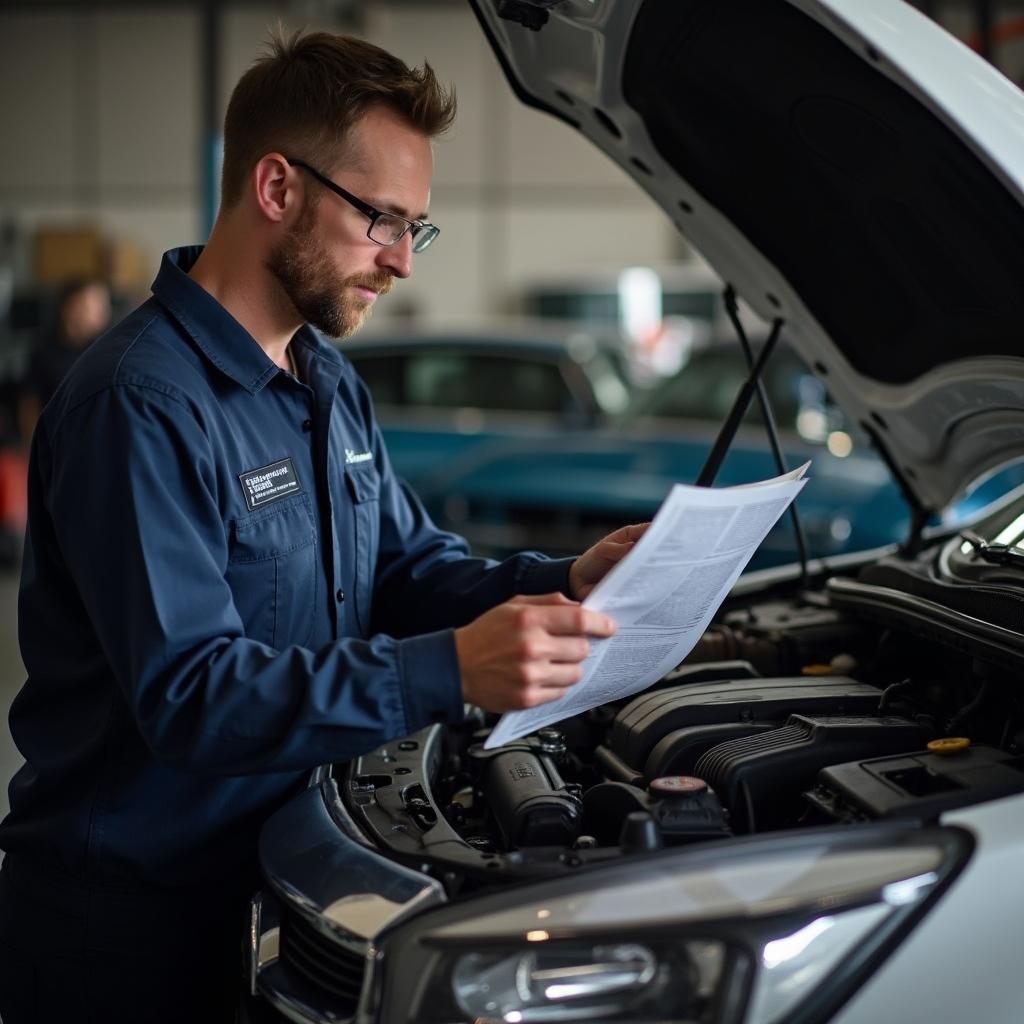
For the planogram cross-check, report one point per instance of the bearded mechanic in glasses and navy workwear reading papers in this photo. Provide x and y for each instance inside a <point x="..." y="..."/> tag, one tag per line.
<point x="225" y="584"/>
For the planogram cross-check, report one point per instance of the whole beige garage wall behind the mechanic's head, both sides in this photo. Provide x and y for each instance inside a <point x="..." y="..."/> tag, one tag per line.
<point x="101" y="122"/>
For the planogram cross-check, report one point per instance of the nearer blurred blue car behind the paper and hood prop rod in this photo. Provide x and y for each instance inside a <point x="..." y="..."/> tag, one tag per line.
<point x="509" y="493"/>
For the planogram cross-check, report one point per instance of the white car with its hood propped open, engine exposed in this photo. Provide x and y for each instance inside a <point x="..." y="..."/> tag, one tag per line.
<point x="818" y="818"/>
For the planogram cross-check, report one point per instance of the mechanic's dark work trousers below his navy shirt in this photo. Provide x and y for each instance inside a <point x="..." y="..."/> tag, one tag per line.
<point x="140" y="957"/>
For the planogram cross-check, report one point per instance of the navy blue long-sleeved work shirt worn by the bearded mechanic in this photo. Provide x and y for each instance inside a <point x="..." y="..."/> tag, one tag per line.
<point x="225" y="585"/>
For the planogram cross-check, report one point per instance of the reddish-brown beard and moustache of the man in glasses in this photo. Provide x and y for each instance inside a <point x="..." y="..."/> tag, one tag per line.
<point x="309" y="278"/>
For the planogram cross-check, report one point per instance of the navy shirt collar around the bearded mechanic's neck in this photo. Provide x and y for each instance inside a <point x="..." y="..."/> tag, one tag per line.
<point x="220" y="336"/>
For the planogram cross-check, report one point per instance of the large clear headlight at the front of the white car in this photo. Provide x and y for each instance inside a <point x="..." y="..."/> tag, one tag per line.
<point x="710" y="935"/>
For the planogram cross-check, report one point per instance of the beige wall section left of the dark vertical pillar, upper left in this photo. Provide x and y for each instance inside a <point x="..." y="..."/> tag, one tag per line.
<point x="99" y="122"/>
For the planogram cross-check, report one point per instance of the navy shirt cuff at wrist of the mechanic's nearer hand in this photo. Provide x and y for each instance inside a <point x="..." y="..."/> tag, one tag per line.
<point x="430" y="680"/>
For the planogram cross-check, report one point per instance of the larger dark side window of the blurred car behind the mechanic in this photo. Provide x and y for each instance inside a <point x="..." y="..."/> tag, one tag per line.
<point x="454" y="380"/>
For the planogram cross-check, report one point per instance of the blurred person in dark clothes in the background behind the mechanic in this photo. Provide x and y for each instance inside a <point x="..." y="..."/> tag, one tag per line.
<point x="83" y="313"/>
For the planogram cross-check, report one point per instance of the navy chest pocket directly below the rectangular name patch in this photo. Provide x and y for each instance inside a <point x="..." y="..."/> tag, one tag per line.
<point x="272" y="571"/>
